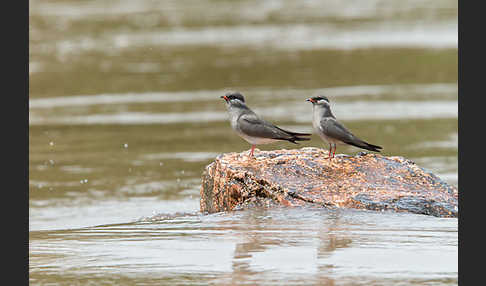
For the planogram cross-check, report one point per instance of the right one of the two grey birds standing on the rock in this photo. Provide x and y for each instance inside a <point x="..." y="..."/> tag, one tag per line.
<point x="331" y="130"/>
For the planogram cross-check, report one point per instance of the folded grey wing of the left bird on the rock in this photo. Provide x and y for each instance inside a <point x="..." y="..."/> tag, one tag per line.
<point x="254" y="126"/>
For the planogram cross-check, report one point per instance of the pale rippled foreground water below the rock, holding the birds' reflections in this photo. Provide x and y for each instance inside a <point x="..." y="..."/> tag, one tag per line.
<point x="251" y="247"/>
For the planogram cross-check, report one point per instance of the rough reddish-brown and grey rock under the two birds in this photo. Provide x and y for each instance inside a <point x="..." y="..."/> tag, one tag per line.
<point x="306" y="178"/>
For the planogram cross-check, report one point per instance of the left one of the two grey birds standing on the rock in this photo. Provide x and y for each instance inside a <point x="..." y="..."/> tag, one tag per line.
<point x="254" y="129"/>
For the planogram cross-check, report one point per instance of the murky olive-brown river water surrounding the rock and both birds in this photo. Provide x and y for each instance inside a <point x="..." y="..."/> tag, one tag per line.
<point x="124" y="114"/>
